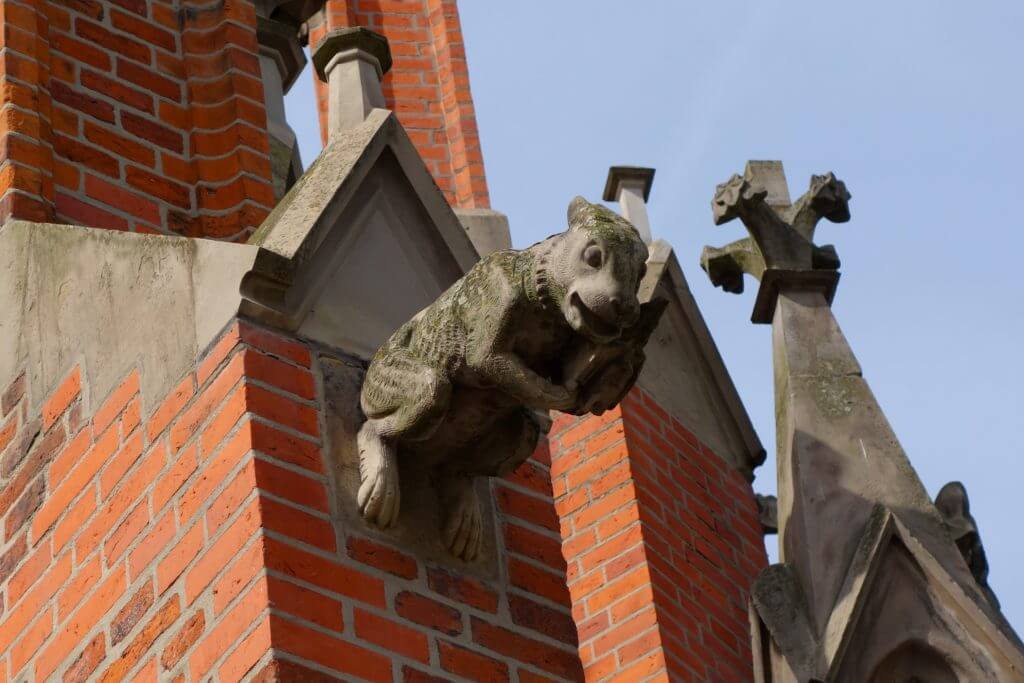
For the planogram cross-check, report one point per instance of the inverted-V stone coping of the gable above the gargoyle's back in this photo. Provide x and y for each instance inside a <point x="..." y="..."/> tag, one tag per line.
<point x="290" y="272"/>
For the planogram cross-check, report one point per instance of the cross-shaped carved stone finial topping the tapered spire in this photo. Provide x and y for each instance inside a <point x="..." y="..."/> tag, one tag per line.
<point x="781" y="249"/>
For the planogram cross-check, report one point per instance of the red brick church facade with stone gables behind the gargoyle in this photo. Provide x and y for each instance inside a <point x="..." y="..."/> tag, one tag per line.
<point x="188" y="314"/>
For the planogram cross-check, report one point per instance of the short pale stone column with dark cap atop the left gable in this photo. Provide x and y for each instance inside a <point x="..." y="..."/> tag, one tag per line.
<point x="353" y="62"/>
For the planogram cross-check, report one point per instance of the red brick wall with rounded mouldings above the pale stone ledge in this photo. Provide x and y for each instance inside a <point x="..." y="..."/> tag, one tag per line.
<point x="134" y="115"/>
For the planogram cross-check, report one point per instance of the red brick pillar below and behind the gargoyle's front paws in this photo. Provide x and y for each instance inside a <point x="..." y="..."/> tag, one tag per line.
<point x="663" y="542"/>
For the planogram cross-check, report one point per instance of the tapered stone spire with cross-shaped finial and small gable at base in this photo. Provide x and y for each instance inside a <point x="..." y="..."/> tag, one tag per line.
<point x="872" y="585"/>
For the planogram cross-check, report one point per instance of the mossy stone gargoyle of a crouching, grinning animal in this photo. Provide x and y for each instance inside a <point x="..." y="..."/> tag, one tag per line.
<point x="558" y="326"/>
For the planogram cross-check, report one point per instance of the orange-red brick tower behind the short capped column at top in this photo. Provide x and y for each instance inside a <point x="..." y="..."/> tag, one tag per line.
<point x="428" y="88"/>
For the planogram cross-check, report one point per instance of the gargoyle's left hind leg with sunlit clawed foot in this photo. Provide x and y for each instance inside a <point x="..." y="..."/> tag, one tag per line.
<point x="407" y="401"/>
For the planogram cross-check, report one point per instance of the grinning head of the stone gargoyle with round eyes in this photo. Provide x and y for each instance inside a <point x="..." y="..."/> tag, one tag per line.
<point x="595" y="272"/>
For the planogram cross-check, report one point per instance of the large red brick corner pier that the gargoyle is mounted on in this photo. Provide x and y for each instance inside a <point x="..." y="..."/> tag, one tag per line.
<point x="194" y="539"/>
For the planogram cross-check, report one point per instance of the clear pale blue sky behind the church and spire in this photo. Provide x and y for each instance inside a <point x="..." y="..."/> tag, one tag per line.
<point x="918" y="106"/>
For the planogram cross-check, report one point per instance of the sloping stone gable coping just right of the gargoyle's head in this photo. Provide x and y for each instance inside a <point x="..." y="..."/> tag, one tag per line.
<point x="666" y="277"/>
